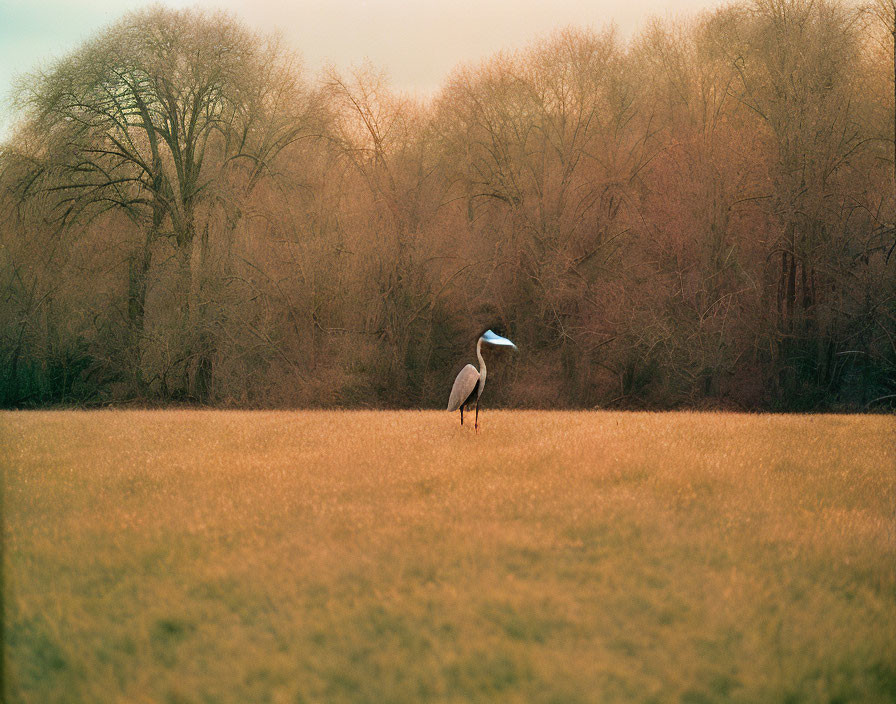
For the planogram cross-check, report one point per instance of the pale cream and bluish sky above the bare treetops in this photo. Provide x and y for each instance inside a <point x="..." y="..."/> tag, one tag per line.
<point x="417" y="43"/>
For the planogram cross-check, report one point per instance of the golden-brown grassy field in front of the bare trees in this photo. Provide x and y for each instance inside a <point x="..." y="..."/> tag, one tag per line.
<point x="192" y="556"/>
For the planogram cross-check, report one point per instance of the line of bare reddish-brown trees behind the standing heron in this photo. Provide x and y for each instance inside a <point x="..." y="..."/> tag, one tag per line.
<point x="702" y="216"/>
